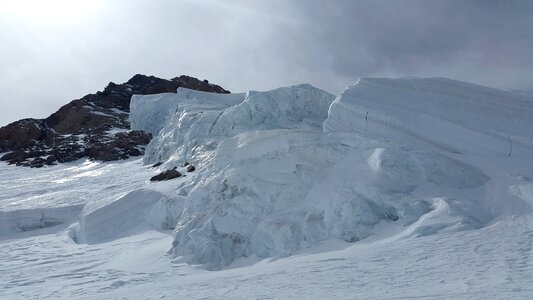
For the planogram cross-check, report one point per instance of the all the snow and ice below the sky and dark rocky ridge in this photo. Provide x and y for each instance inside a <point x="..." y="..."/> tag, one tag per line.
<point x="408" y="188"/>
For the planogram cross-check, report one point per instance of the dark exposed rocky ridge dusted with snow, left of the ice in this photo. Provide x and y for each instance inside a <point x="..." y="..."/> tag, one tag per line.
<point x="95" y="126"/>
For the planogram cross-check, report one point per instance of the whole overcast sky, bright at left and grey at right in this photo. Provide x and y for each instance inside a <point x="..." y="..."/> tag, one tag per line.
<point x="55" y="51"/>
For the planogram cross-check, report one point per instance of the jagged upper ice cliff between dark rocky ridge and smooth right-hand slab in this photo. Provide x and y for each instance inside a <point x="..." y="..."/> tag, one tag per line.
<point x="202" y="120"/>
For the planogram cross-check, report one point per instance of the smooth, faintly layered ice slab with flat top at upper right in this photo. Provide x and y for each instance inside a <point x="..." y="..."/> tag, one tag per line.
<point x="457" y="116"/>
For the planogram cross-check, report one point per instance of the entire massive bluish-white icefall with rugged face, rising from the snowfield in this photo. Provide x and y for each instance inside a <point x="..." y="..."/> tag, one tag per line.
<point x="271" y="181"/>
